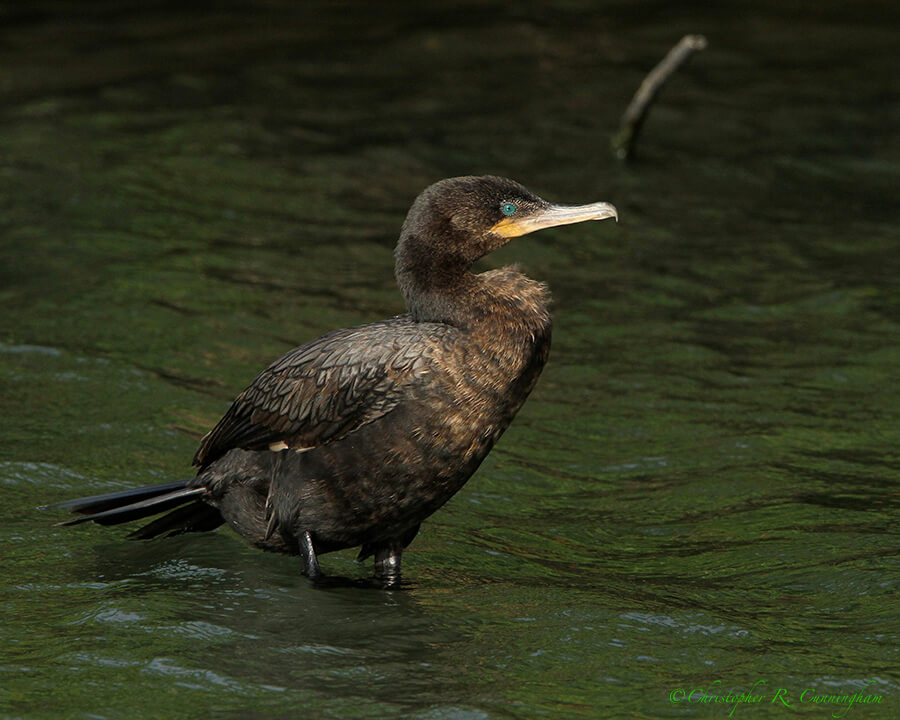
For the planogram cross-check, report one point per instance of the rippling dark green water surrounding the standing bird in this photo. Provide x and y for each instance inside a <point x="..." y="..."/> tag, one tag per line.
<point x="702" y="491"/>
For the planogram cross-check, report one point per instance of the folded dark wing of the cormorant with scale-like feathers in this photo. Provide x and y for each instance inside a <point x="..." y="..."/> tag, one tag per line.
<point x="326" y="389"/>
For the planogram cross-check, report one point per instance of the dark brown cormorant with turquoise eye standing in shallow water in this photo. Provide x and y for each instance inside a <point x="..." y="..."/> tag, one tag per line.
<point x="356" y="437"/>
